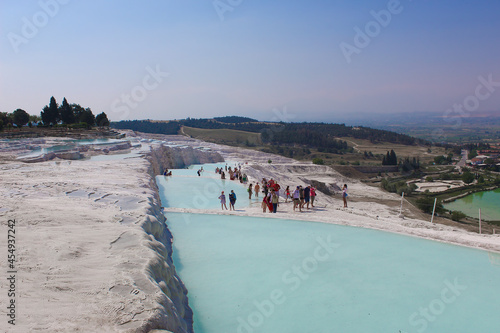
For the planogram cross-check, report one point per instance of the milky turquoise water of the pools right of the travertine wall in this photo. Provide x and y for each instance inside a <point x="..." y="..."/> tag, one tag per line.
<point x="254" y="275"/>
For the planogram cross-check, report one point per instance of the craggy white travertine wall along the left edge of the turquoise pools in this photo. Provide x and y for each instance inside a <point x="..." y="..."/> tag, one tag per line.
<point x="175" y="315"/>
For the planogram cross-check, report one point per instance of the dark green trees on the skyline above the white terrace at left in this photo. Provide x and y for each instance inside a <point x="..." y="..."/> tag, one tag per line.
<point x="73" y="115"/>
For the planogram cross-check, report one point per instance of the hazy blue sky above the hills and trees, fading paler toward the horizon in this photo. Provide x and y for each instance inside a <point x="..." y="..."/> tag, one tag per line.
<point x="270" y="60"/>
